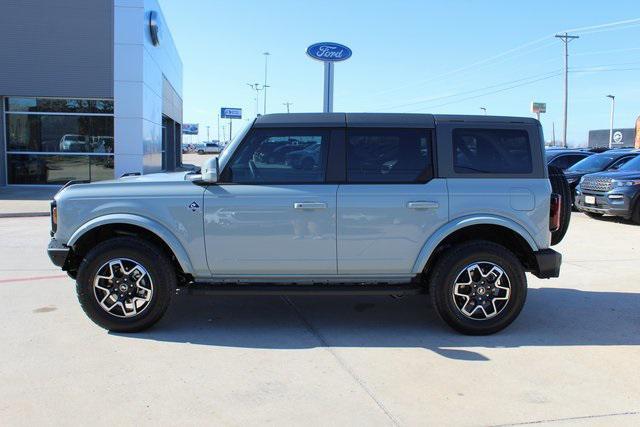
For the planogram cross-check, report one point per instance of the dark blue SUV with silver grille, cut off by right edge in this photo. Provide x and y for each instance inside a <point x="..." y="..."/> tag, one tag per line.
<point x="612" y="193"/>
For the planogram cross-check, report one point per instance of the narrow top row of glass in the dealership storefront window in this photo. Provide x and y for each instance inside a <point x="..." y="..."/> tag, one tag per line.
<point x="56" y="105"/>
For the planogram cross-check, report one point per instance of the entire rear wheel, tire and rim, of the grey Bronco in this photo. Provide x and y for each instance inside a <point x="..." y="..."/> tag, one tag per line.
<point x="478" y="288"/>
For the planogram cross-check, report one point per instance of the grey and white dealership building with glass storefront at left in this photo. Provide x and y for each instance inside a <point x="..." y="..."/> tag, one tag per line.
<point x="89" y="90"/>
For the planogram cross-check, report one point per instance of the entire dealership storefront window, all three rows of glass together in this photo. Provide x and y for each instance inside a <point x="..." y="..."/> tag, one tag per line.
<point x="53" y="140"/>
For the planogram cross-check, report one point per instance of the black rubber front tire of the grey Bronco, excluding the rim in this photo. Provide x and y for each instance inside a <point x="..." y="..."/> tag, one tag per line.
<point x="154" y="260"/>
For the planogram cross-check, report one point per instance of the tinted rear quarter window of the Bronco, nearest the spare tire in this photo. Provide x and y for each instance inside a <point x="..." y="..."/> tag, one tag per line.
<point x="491" y="151"/>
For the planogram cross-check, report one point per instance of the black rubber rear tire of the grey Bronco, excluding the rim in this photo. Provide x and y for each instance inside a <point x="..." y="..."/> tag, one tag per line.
<point x="452" y="262"/>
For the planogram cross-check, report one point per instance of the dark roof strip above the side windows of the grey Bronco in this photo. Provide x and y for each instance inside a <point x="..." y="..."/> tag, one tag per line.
<point x="378" y="119"/>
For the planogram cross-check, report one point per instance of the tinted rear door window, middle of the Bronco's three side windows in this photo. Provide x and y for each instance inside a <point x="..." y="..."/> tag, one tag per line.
<point x="387" y="155"/>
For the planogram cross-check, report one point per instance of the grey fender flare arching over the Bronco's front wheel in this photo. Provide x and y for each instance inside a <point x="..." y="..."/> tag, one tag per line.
<point x="148" y="224"/>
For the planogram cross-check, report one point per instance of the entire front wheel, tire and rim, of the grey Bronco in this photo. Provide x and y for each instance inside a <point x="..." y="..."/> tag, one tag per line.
<point x="125" y="284"/>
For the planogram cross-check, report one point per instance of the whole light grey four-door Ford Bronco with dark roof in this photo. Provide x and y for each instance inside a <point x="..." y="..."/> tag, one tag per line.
<point x="458" y="207"/>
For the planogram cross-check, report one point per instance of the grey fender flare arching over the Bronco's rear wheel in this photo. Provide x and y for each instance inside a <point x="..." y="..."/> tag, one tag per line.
<point x="459" y="223"/>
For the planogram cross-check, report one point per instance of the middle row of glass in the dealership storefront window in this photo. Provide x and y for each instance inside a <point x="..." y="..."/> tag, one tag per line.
<point x="54" y="133"/>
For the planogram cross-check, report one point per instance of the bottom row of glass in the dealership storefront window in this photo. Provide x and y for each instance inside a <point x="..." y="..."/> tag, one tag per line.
<point x="56" y="169"/>
